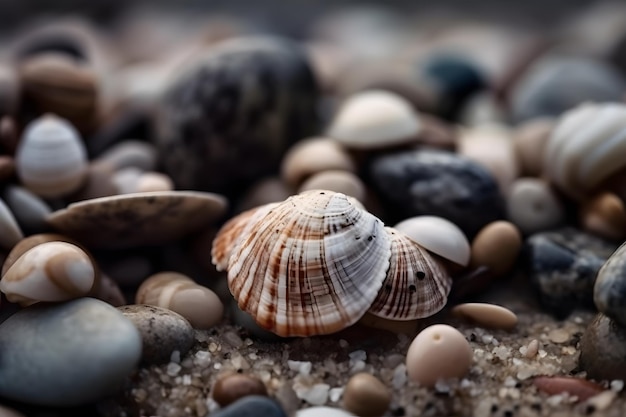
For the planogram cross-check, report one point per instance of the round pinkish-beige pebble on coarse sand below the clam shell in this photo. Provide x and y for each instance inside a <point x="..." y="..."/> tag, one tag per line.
<point x="438" y="352"/>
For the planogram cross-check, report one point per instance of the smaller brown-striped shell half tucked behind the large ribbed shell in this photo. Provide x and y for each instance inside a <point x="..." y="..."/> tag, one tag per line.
<point x="417" y="284"/>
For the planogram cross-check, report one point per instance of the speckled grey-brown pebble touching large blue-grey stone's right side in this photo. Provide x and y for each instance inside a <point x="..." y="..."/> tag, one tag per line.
<point x="162" y="331"/>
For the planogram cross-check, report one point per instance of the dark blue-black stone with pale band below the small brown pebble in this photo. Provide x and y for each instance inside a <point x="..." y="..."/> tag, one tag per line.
<point x="562" y="266"/>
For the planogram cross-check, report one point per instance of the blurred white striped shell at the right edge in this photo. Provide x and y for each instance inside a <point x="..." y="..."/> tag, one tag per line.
<point x="586" y="147"/>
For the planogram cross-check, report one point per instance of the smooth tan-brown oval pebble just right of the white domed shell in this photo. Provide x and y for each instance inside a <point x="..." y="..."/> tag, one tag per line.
<point x="496" y="246"/>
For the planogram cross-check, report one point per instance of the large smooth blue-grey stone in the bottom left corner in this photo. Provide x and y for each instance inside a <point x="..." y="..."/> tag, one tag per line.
<point x="66" y="354"/>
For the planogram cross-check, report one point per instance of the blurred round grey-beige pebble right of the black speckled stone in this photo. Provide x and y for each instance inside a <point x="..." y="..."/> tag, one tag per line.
<point x="533" y="206"/>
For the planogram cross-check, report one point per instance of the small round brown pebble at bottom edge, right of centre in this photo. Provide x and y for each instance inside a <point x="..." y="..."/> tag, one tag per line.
<point x="366" y="396"/>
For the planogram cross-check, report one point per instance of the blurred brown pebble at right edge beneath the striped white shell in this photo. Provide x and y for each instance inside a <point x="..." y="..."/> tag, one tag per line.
<point x="605" y="216"/>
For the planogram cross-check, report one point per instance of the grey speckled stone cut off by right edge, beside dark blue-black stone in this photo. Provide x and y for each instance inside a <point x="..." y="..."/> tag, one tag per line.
<point x="609" y="291"/>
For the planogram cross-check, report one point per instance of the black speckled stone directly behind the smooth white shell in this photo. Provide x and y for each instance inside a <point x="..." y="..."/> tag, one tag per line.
<point x="441" y="183"/>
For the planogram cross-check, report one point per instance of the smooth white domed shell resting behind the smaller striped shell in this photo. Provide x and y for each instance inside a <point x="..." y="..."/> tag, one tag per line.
<point x="439" y="236"/>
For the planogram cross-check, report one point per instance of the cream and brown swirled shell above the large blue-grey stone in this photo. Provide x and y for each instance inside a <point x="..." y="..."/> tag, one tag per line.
<point x="52" y="271"/>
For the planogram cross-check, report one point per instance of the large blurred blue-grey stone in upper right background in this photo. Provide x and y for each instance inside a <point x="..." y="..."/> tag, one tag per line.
<point x="556" y="84"/>
